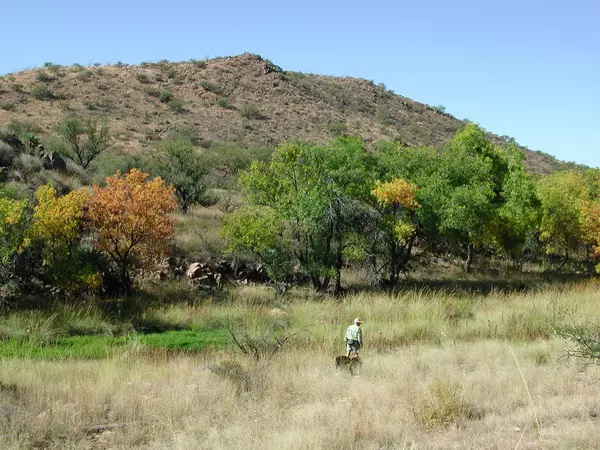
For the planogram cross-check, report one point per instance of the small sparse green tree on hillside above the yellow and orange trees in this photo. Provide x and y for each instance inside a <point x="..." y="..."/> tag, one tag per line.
<point x="85" y="139"/>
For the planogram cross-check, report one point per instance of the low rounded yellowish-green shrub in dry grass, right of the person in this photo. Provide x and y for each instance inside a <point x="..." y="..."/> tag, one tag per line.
<point x="443" y="405"/>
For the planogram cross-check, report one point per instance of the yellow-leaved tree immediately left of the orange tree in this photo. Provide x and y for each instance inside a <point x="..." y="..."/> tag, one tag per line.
<point x="58" y="223"/>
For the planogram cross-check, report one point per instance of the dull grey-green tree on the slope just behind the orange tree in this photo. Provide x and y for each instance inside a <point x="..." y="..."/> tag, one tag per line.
<point x="178" y="163"/>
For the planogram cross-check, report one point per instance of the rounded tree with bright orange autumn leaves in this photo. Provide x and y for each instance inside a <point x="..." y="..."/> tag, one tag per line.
<point x="131" y="217"/>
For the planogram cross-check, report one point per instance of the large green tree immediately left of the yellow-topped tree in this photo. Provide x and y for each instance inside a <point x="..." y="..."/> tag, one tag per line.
<point x="318" y="192"/>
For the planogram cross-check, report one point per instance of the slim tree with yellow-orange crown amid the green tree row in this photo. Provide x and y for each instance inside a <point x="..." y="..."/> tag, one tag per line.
<point x="397" y="205"/>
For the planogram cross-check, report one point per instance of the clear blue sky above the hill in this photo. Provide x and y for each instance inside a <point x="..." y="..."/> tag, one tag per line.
<point x="529" y="68"/>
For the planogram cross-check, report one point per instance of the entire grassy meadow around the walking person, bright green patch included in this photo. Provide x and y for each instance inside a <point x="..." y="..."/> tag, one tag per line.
<point x="441" y="369"/>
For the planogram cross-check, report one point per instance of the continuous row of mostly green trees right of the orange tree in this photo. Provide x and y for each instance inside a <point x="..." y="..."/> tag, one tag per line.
<point x="310" y="208"/>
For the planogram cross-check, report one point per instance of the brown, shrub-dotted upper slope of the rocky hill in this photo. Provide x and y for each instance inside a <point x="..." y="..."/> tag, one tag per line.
<point x="245" y="99"/>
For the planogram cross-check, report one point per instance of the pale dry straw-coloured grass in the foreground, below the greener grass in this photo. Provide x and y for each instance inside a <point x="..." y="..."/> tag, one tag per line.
<point x="299" y="400"/>
